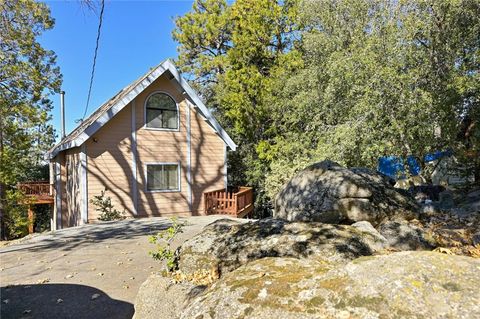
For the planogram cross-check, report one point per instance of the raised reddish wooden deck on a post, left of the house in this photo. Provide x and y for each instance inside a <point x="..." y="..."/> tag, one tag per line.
<point x="36" y="193"/>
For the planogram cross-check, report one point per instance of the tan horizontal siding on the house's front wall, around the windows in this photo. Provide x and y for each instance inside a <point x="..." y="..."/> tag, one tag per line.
<point x="109" y="160"/>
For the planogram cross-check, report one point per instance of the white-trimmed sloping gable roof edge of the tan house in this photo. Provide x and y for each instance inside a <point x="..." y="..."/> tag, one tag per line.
<point x="166" y="65"/>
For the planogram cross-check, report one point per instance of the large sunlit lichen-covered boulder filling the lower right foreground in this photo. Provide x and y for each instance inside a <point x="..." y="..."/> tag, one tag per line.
<point x="399" y="285"/>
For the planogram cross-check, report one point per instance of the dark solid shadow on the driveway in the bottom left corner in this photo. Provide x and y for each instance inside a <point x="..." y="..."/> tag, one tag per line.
<point x="42" y="301"/>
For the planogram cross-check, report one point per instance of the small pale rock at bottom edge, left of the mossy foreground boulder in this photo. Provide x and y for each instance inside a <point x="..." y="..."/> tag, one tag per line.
<point x="159" y="297"/>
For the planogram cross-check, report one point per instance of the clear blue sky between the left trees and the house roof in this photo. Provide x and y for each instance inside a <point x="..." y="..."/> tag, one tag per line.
<point x="136" y="35"/>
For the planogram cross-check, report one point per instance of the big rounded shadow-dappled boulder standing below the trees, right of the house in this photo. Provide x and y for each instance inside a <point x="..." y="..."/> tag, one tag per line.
<point x="329" y="193"/>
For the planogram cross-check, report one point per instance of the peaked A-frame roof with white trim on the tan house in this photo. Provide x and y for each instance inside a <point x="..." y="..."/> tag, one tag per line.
<point x="109" y="109"/>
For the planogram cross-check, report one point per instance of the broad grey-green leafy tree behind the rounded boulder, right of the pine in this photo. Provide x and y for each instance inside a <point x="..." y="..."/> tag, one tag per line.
<point x="379" y="78"/>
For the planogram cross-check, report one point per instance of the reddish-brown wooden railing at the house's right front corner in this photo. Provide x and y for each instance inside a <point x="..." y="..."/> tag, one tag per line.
<point x="238" y="204"/>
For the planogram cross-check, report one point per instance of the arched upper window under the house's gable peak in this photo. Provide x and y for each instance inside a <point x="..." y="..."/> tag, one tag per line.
<point x="161" y="112"/>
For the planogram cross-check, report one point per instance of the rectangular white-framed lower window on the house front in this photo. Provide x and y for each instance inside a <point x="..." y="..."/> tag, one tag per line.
<point x="163" y="177"/>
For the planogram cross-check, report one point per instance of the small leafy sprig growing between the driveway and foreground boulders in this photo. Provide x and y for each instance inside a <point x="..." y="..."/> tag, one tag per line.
<point x="163" y="240"/>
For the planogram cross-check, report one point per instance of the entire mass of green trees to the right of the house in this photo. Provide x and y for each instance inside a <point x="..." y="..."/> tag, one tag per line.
<point x="350" y="80"/>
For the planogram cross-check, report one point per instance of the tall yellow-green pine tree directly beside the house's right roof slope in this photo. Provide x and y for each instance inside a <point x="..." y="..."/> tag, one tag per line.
<point x="233" y="54"/>
